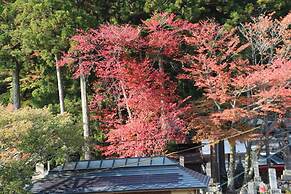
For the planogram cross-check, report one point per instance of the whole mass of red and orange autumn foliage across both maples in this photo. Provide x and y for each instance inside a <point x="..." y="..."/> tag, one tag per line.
<point x="136" y="98"/>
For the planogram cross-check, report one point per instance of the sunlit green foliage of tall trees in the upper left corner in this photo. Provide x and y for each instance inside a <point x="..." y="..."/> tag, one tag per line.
<point x="33" y="35"/>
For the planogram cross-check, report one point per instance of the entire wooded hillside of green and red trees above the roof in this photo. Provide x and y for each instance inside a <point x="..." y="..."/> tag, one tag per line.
<point x="149" y="74"/>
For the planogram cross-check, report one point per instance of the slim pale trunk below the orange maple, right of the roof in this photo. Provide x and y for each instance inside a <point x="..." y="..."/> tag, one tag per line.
<point x="231" y="167"/>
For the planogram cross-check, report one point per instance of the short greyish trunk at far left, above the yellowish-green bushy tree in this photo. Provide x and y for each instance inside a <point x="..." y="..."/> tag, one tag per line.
<point x="16" y="86"/>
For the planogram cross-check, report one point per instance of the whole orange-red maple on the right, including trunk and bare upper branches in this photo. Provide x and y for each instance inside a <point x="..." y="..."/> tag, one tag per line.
<point x="243" y="81"/>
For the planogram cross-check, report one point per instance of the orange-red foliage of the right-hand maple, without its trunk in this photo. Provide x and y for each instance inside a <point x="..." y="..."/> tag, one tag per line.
<point x="240" y="91"/>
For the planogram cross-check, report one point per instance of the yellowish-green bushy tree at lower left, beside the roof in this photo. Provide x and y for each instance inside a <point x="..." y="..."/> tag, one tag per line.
<point x="29" y="136"/>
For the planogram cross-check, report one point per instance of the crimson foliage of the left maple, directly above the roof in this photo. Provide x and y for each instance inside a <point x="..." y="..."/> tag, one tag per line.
<point x="142" y="112"/>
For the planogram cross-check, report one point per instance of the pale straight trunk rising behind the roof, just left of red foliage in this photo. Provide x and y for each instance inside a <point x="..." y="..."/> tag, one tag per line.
<point x="85" y="118"/>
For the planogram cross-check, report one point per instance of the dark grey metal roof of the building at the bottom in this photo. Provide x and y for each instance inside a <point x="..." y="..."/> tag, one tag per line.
<point x="157" y="173"/>
